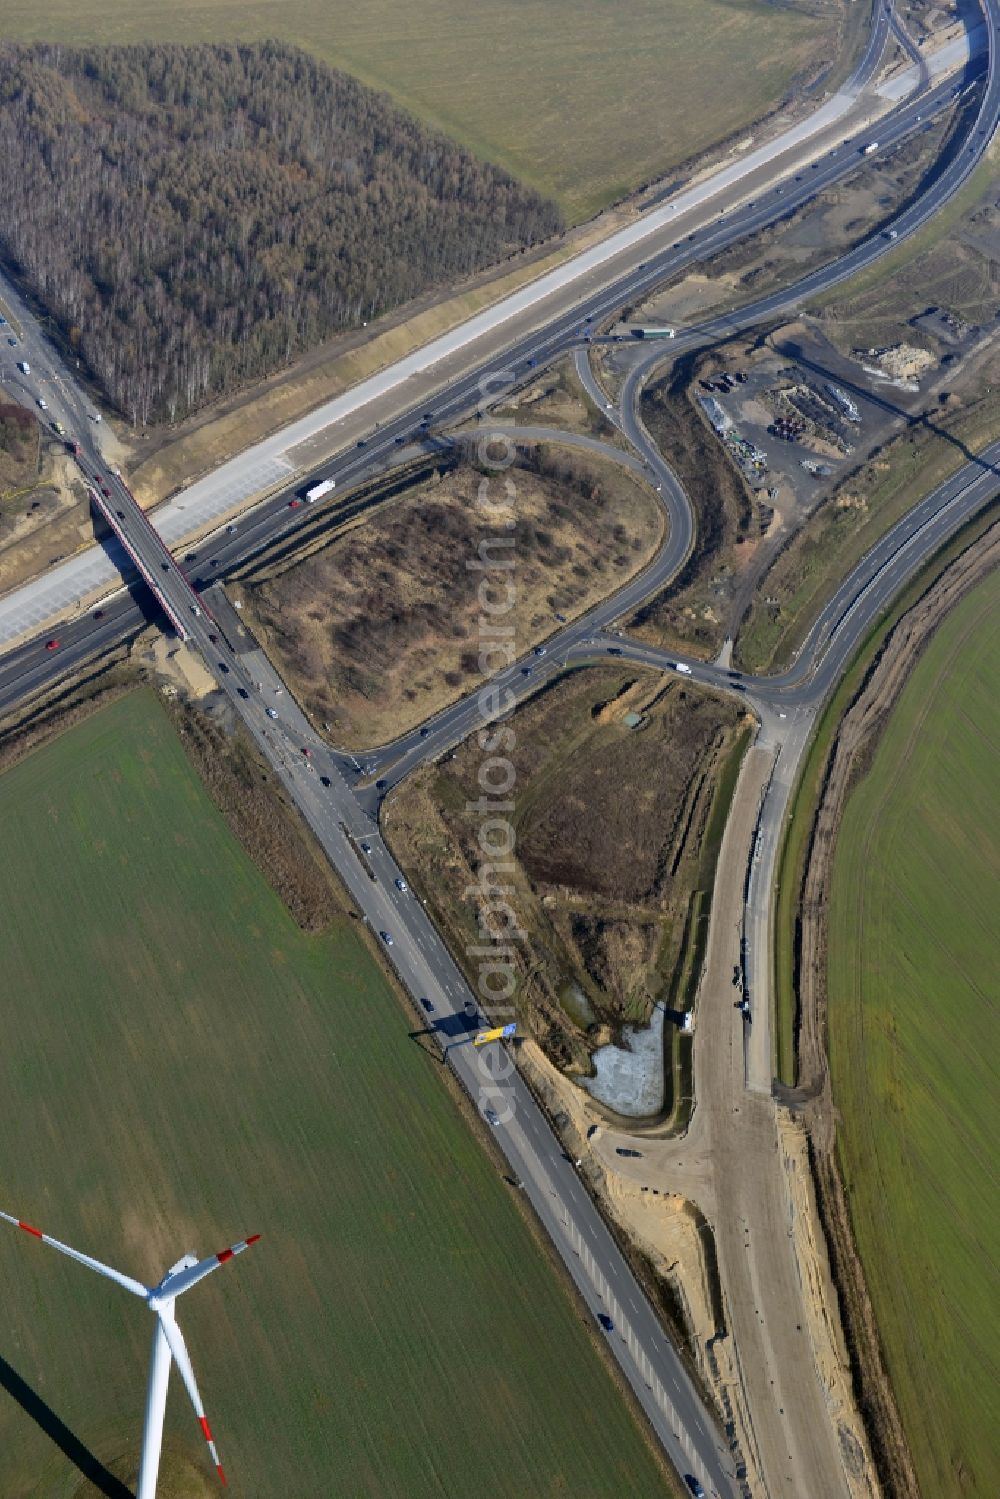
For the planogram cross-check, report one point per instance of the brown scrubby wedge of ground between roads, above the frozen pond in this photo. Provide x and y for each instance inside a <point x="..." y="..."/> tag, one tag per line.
<point x="609" y="827"/>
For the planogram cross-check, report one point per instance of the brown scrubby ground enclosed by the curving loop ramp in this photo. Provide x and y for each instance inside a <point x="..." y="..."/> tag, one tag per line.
<point x="380" y="629"/>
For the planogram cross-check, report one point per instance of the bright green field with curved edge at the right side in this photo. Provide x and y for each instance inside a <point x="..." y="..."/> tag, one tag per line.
<point x="915" y="1035"/>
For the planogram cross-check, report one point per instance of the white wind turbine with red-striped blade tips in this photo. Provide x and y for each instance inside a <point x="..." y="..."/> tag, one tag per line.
<point x="167" y="1342"/>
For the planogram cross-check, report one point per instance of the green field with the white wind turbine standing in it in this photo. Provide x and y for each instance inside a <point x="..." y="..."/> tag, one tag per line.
<point x="182" y="1067"/>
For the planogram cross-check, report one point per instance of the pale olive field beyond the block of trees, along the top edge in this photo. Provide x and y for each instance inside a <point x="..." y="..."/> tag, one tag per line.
<point x="584" y="100"/>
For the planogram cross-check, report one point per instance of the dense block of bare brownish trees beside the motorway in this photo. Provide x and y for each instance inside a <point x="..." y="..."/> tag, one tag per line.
<point x="197" y="217"/>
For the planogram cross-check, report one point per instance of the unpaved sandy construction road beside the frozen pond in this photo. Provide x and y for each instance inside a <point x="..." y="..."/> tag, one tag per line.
<point x="744" y="1164"/>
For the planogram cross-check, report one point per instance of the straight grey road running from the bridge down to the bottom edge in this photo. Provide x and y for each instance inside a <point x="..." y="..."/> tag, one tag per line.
<point x="451" y="1016"/>
